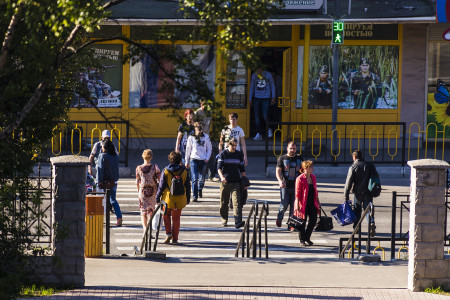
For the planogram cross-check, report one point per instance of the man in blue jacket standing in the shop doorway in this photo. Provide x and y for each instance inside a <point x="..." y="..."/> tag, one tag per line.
<point x="262" y="91"/>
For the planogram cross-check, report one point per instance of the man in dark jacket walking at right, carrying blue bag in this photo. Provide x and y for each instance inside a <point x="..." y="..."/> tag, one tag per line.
<point x="358" y="177"/>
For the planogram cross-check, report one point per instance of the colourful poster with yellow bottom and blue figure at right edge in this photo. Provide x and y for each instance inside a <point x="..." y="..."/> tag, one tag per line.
<point x="438" y="102"/>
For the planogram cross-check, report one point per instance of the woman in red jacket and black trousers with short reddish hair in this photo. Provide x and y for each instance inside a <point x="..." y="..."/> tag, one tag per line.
<point x="307" y="203"/>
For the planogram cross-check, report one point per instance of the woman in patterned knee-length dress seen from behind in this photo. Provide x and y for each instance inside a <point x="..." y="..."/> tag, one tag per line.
<point x="147" y="181"/>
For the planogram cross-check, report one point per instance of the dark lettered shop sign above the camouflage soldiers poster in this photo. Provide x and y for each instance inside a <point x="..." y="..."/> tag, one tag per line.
<point x="357" y="32"/>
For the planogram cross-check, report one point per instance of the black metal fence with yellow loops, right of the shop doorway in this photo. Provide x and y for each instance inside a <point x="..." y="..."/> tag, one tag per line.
<point x="334" y="142"/>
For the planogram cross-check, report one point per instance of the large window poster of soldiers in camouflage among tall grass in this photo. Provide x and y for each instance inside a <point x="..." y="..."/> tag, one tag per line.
<point x="368" y="77"/>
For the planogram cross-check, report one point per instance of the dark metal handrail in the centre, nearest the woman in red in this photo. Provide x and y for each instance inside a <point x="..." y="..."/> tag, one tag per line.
<point x="257" y="228"/>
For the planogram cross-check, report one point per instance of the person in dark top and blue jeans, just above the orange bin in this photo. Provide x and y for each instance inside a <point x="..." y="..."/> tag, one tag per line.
<point x="108" y="174"/>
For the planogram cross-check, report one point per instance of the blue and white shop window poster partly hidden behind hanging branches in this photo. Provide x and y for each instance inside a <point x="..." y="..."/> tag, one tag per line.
<point x="147" y="79"/>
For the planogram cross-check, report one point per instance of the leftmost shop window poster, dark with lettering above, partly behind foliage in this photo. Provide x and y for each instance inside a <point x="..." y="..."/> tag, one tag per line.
<point x="104" y="85"/>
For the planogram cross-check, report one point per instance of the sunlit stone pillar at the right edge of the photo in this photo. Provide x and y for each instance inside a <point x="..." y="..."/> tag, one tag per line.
<point x="427" y="263"/>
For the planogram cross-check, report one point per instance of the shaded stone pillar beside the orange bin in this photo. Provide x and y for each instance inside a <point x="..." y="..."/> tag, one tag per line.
<point x="69" y="198"/>
